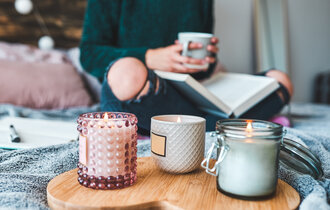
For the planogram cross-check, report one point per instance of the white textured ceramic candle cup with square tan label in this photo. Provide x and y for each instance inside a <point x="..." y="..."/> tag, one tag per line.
<point x="177" y="142"/>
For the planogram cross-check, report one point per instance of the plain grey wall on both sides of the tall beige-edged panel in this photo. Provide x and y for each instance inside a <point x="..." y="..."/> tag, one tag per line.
<point x="309" y="39"/>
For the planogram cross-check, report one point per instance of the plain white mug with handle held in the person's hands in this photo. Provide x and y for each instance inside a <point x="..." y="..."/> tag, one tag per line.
<point x="185" y="38"/>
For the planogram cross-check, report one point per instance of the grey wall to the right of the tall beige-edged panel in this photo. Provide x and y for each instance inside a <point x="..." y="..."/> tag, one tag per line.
<point x="309" y="29"/>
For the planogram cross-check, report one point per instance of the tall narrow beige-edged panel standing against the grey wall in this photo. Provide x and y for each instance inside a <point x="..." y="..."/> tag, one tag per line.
<point x="271" y="30"/>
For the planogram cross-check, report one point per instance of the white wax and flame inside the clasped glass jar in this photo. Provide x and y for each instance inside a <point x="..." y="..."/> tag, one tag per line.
<point x="250" y="167"/>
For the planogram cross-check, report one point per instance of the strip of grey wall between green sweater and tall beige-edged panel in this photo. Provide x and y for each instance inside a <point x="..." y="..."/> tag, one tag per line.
<point x="233" y="26"/>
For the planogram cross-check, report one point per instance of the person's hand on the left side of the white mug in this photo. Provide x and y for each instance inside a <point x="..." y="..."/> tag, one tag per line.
<point x="170" y="59"/>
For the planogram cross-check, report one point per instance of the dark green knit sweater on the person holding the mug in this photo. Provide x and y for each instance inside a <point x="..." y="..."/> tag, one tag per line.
<point x="127" y="28"/>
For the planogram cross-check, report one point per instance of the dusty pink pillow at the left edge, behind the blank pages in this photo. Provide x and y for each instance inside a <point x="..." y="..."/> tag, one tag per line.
<point x="41" y="85"/>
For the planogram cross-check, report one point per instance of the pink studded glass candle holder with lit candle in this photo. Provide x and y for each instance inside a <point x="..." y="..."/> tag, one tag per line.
<point x="107" y="150"/>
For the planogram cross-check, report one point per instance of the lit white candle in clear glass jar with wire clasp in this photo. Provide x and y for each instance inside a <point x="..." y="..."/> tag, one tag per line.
<point x="248" y="152"/>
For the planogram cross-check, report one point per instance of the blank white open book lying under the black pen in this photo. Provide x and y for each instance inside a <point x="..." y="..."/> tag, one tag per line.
<point x="36" y="132"/>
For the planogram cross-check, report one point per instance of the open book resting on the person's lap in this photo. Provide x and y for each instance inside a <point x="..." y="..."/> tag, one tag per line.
<point x="224" y="94"/>
